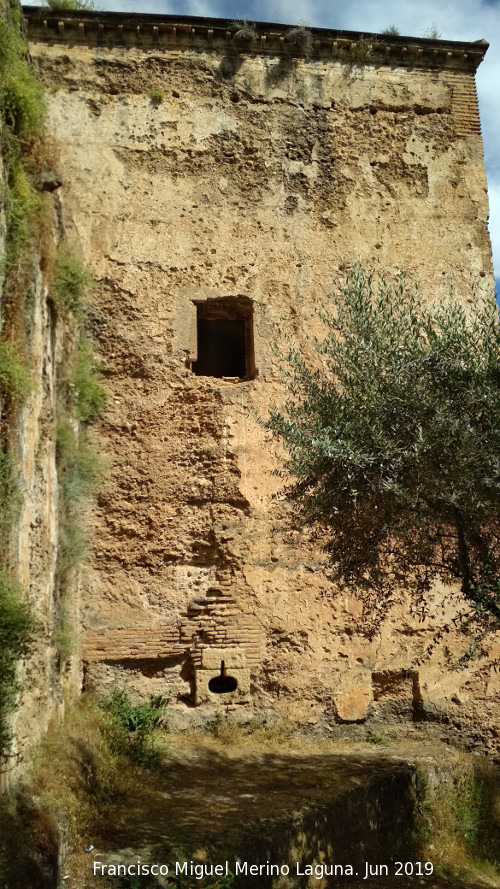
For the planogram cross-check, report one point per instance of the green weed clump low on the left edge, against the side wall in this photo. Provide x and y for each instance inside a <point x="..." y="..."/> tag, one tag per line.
<point x="16" y="626"/>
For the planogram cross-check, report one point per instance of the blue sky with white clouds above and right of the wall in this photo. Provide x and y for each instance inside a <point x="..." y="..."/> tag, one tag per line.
<point x="466" y="20"/>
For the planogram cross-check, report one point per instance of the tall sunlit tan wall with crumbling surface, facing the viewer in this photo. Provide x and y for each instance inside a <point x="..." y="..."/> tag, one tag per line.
<point x="252" y="178"/>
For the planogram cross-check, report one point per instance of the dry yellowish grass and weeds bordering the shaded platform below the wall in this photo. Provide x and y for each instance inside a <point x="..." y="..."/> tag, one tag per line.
<point x="82" y="786"/>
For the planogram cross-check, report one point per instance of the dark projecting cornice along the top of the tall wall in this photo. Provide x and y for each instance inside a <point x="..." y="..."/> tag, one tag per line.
<point x="193" y="32"/>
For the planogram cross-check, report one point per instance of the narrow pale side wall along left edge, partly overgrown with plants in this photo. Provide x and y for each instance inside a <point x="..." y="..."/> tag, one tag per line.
<point x="28" y="434"/>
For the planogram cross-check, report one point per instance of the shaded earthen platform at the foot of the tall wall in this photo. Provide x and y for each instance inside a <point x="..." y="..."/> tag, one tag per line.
<point x="208" y="804"/>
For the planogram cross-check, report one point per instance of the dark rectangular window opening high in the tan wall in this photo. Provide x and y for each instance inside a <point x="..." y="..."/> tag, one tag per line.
<point x="225" y="339"/>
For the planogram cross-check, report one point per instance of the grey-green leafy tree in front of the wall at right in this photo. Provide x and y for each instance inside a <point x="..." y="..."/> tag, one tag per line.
<point x="392" y="434"/>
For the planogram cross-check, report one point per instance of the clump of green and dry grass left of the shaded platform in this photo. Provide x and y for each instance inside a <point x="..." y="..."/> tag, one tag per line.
<point x="80" y="776"/>
